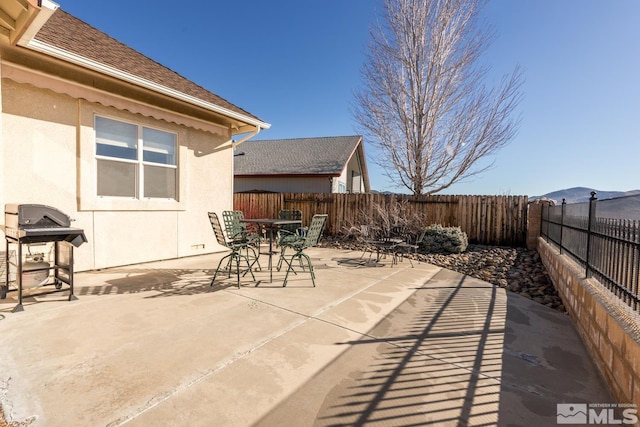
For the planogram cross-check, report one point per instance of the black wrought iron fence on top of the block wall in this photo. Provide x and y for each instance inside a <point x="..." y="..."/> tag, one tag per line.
<point x="602" y="236"/>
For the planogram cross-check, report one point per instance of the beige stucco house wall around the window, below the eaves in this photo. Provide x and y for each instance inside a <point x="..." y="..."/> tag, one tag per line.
<point x="48" y="147"/>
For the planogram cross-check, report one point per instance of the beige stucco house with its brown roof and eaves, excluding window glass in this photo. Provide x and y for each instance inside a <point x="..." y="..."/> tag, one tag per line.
<point x="48" y="142"/>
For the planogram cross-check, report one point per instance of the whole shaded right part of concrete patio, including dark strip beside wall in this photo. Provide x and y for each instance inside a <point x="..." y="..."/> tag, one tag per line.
<point x="458" y="355"/>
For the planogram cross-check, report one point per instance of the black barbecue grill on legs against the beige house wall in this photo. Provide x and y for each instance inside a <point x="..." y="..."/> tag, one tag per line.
<point x="37" y="224"/>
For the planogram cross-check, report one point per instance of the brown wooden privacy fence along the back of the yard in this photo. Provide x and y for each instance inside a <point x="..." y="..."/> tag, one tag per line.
<point x="490" y="220"/>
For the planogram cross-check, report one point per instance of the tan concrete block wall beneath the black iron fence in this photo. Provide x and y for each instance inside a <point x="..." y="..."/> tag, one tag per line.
<point x="608" y="327"/>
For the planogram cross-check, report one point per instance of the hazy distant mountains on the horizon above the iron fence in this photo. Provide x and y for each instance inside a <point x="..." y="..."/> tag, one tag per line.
<point x="611" y="204"/>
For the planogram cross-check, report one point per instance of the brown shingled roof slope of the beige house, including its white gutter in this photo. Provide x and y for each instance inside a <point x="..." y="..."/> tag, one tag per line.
<point x="68" y="38"/>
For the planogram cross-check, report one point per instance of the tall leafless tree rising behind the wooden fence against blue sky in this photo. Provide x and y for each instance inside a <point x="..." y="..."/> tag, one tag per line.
<point x="424" y="103"/>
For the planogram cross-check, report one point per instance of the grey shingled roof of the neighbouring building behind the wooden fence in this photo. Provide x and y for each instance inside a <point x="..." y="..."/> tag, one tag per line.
<point x="301" y="156"/>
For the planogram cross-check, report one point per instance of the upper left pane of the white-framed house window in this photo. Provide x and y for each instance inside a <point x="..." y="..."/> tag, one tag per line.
<point x="116" y="139"/>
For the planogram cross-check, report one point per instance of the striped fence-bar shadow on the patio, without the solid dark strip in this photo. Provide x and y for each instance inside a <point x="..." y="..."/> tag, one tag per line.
<point x="434" y="360"/>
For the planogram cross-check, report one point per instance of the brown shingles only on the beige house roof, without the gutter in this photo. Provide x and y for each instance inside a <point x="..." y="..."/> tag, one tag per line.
<point x="64" y="31"/>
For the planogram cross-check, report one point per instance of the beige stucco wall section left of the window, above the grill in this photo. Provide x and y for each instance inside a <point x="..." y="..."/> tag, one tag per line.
<point x="39" y="137"/>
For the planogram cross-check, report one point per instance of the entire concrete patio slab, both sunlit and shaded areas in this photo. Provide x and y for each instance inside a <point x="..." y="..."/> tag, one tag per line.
<point x="154" y="344"/>
